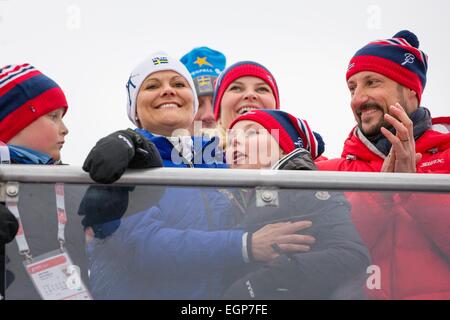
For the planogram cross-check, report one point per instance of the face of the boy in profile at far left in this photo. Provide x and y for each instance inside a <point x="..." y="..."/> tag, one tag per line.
<point x="46" y="134"/>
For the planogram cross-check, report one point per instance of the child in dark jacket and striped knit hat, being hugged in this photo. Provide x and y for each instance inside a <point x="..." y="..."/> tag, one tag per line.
<point x="334" y="255"/>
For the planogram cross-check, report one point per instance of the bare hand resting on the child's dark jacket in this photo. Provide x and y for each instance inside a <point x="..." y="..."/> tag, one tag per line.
<point x="284" y="236"/>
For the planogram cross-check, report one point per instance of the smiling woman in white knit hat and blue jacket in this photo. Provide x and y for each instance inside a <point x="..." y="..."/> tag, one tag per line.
<point x="175" y="249"/>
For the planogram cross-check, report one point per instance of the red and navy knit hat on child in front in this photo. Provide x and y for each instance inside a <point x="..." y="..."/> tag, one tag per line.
<point x="293" y="133"/>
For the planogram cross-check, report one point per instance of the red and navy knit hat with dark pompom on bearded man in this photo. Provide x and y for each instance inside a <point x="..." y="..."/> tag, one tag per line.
<point x="398" y="58"/>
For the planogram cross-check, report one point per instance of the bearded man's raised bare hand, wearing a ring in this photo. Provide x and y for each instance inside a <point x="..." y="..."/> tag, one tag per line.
<point x="403" y="156"/>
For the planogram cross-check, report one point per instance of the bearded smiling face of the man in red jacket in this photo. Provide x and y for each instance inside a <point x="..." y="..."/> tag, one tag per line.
<point x="371" y="96"/>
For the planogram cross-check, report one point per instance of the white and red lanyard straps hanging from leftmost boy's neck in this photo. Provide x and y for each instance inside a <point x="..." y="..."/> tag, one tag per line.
<point x="12" y="202"/>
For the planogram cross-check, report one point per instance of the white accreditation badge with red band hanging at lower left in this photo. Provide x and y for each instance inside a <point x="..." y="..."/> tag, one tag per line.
<point x="55" y="277"/>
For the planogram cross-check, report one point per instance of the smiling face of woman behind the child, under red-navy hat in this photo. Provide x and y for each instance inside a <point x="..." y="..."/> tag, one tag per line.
<point x="245" y="94"/>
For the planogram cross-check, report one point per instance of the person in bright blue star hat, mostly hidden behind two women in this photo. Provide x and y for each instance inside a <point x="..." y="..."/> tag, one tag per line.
<point x="205" y="65"/>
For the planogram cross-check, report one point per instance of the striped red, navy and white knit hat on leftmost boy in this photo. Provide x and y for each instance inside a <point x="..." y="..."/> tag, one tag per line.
<point x="25" y="95"/>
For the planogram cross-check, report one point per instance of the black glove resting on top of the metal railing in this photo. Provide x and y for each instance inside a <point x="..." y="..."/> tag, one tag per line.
<point x="113" y="154"/>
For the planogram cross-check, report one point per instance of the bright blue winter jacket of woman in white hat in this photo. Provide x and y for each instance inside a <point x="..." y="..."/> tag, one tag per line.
<point x="179" y="249"/>
